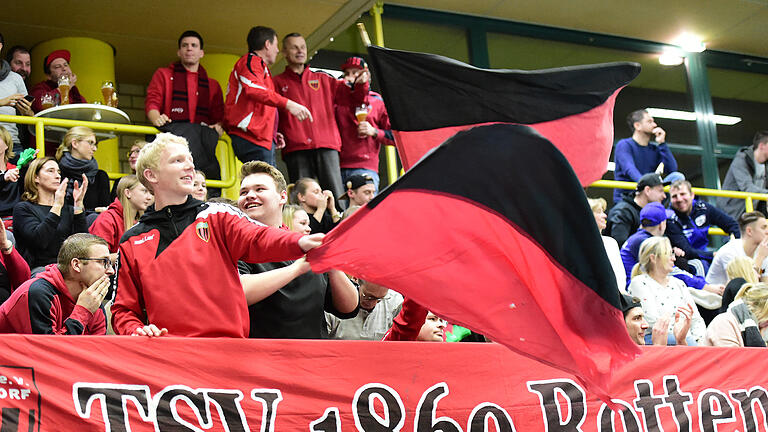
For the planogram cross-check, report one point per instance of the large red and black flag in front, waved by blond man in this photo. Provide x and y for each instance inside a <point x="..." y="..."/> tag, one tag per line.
<point x="491" y="231"/>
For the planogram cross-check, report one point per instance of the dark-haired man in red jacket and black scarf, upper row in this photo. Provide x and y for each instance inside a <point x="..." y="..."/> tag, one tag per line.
<point x="184" y="100"/>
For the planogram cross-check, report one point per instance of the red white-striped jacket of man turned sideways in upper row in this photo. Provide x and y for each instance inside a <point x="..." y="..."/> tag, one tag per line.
<point x="251" y="103"/>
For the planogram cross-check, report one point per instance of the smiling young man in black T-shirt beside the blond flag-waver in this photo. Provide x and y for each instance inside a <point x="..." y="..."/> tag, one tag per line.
<point x="286" y="299"/>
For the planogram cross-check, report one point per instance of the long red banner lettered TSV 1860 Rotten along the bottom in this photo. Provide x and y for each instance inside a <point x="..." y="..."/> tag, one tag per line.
<point x="61" y="383"/>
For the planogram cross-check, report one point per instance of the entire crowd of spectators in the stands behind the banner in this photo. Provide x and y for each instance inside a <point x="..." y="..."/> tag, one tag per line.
<point x="72" y="236"/>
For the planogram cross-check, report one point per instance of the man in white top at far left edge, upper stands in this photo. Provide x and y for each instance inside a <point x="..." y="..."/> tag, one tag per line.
<point x="12" y="102"/>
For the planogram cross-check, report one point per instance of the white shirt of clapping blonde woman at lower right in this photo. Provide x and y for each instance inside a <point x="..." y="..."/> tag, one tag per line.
<point x="659" y="300"/>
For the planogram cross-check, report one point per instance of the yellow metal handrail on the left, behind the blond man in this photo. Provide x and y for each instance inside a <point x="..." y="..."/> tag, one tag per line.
<point x="41" y="122"/>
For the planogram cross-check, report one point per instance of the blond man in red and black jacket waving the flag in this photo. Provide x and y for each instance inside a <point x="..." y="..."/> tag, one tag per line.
<point x="205" y="296"/>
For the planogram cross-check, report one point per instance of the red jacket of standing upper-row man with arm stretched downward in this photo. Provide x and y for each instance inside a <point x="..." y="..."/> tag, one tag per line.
<point x="317" y="91"/>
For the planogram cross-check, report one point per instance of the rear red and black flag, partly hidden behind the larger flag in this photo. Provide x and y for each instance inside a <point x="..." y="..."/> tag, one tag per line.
<point x="429" y="98"/>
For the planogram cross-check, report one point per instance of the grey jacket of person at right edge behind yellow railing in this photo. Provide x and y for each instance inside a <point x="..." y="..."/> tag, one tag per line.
<point x="740" y="177"/>
